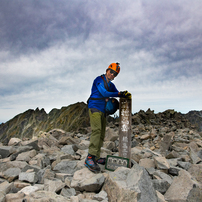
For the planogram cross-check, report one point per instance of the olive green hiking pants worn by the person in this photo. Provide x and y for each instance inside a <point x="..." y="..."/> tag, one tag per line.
<point x="98" y="126"/>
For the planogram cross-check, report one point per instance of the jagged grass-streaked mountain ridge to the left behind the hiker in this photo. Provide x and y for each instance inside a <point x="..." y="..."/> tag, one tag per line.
<point x="31" y="122"/>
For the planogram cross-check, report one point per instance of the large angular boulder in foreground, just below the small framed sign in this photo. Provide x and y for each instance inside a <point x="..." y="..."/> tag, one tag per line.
<point x="125" y="184"/>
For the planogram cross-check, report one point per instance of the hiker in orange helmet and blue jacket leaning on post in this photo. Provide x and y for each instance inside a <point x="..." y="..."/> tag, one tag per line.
<point x="102" y="89"/>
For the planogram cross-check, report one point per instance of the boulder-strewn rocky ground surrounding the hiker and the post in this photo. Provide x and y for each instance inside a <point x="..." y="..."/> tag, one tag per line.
<point x="166" y="165"/>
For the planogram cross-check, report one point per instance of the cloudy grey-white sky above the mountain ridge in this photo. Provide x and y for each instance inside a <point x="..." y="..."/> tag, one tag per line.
<point x="51" y="51"/>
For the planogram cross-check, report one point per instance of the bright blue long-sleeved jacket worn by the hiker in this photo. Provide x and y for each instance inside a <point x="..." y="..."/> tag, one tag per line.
<point x="99" y="91"/>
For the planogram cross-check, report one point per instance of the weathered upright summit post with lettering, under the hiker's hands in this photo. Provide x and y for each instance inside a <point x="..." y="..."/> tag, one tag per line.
<point x="125" y="128"/>
